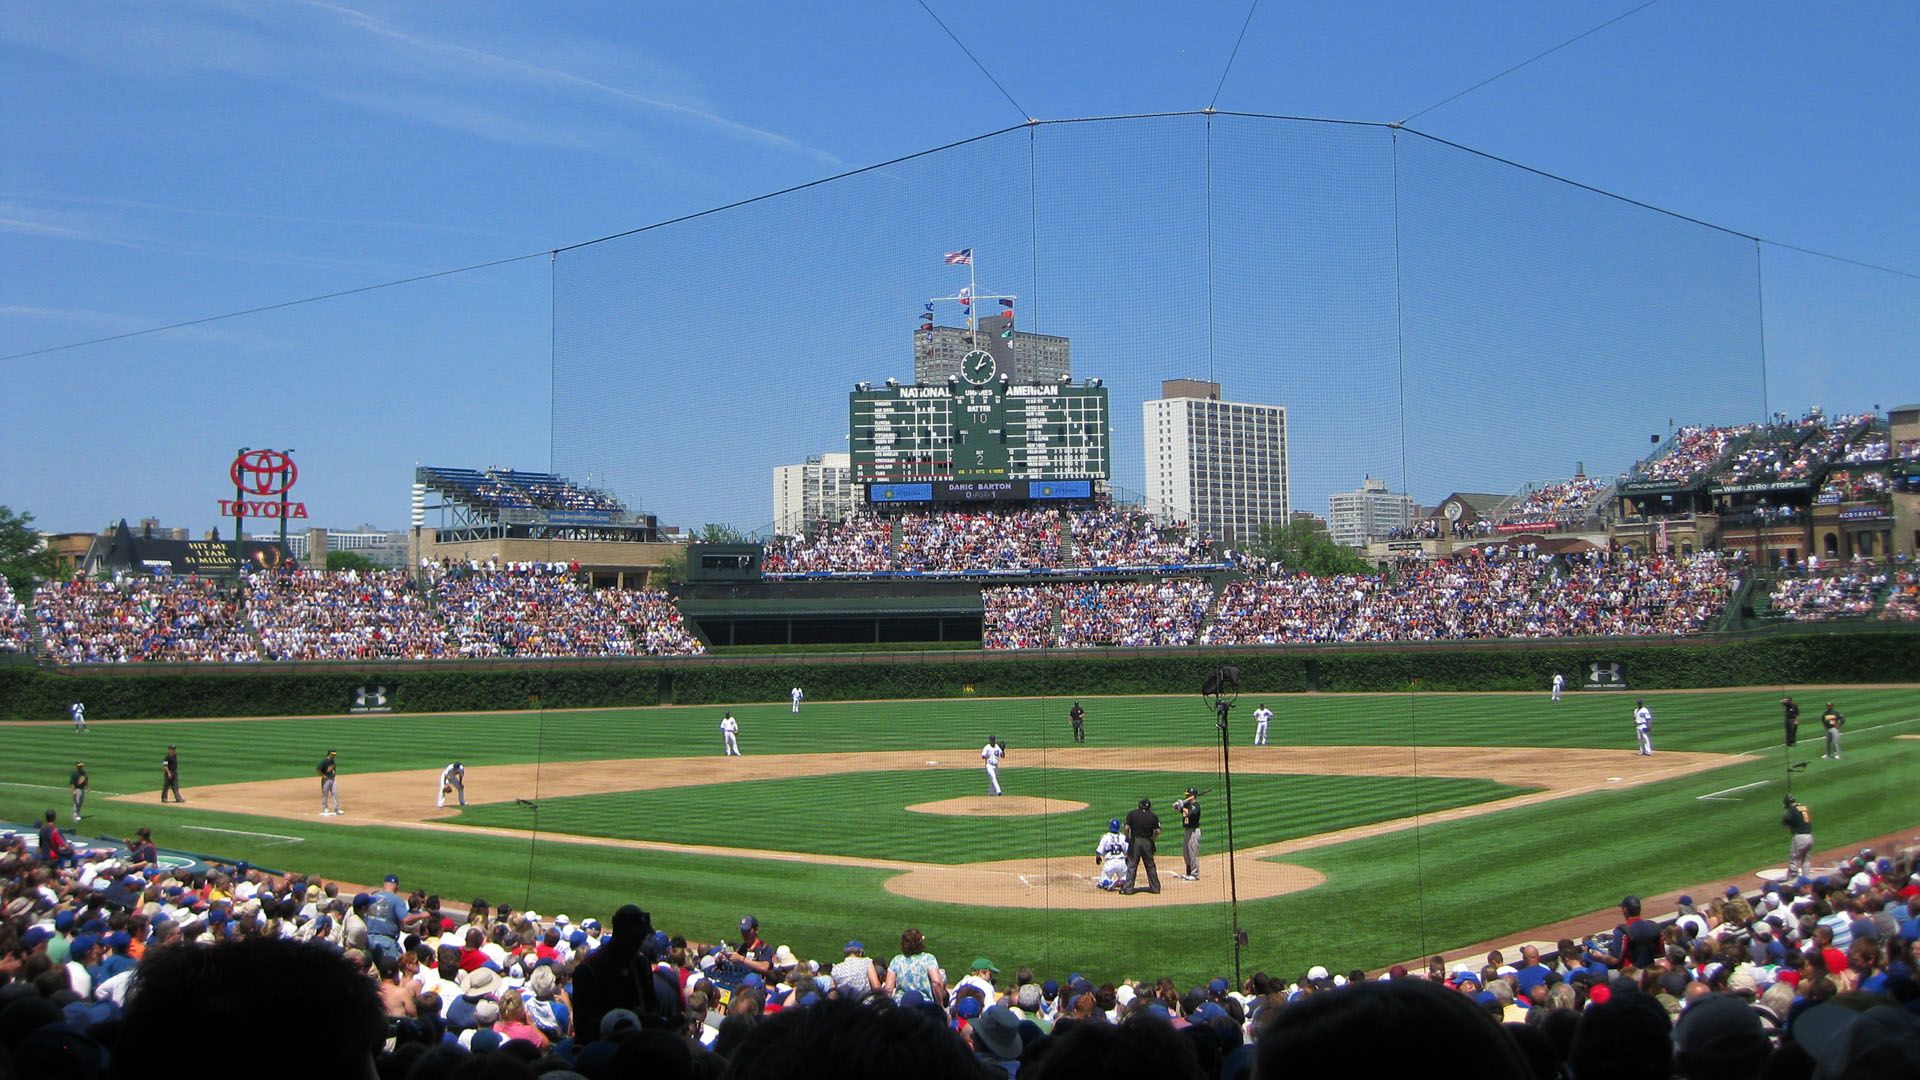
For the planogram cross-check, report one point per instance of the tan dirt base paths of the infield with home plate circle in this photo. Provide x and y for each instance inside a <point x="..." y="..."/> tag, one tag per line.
<point x="406" y="800"/>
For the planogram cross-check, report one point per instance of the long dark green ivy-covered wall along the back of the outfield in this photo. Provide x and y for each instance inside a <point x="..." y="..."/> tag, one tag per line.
<point x="1869" y="652"/>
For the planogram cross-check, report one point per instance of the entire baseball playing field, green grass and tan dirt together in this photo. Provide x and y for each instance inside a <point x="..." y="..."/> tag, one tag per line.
<point x="1372" y="829"/>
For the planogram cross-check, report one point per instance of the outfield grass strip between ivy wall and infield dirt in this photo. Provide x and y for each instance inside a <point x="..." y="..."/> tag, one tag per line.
<point x="126" y="756"/>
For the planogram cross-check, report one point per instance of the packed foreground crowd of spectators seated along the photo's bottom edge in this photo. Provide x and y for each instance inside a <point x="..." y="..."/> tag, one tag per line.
<point x="116" y="962"/>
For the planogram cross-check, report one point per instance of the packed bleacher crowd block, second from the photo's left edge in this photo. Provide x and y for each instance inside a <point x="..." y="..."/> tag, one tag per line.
<point x="141" y="620"/>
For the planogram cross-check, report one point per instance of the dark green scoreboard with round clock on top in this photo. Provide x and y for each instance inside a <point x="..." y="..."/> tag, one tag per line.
<point x="978" y="430"/>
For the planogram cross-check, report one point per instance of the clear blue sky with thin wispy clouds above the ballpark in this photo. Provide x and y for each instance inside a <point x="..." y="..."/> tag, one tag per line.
<point x="162" y="162"/>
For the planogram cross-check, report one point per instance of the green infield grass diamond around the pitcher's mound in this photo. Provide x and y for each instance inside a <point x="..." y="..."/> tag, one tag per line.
<point x="865" y="814"/>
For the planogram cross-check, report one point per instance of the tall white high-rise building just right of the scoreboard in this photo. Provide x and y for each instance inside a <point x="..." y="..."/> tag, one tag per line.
<point x="1220" y="466"/>
